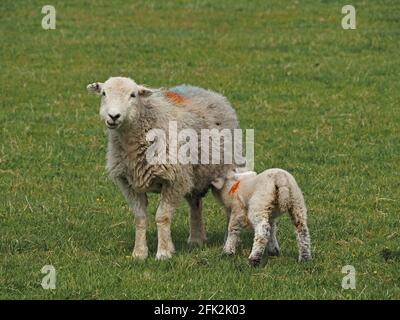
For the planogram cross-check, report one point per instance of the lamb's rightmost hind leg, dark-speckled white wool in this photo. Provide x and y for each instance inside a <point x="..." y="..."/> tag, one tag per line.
<point x="299" y="219"/>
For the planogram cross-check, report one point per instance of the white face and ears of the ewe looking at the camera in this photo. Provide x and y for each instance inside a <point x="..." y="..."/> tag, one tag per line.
<point x="120" y="100"/>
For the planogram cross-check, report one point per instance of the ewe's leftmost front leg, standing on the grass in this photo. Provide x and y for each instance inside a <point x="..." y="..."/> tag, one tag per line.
<point x="138" y="204"/>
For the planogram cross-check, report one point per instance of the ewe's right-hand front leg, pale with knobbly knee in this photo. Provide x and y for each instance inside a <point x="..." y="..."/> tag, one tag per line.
<point x="167" y="205"/>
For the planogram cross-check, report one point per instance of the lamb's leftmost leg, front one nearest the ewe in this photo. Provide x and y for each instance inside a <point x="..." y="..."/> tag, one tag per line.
<point x="236" y="222"/>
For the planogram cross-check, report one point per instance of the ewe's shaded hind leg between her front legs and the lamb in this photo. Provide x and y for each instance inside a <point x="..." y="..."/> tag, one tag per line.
<point x="197" y="230"/>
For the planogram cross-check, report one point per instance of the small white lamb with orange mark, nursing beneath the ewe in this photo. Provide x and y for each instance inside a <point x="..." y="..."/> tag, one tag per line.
<point x="261" y="199"/>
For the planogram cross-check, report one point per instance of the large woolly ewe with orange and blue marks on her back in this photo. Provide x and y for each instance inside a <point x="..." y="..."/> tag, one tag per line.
<point x="130" y="111"/>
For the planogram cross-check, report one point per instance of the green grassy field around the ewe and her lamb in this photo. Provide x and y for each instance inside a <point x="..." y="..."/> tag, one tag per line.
<point x="324" y="103"/>
